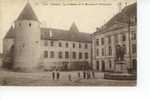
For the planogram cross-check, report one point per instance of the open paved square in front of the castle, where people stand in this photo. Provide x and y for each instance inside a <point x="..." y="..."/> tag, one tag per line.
<point x="8" y="78"/>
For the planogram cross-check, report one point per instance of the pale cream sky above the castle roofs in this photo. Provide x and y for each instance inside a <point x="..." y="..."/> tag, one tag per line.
<point x="86" y="17"/>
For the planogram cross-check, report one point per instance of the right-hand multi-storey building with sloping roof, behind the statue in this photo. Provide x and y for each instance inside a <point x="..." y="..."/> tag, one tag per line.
<point x="114" y="44"/>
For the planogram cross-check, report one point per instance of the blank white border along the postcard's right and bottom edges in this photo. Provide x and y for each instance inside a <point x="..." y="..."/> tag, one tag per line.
<point x="98" y="93"/>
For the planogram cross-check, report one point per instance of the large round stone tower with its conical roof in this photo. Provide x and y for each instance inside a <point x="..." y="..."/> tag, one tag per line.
<point x="27" y="40"/>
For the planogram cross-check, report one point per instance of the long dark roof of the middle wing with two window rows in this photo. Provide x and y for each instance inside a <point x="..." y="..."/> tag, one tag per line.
<point x="58" y="34"/>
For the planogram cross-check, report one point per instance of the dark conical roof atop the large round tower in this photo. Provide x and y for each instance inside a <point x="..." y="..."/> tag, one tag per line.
<point x="27" y="13"/>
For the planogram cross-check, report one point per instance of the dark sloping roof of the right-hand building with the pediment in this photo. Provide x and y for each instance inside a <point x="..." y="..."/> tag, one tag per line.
<point x="120" y="19"/>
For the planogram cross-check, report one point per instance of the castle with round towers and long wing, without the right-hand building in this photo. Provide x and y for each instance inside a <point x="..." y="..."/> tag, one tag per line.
<point x="29" y="47"/>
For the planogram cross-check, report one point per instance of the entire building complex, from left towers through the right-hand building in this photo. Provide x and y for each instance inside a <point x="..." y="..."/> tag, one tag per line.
<point x="112" y="48"/>
